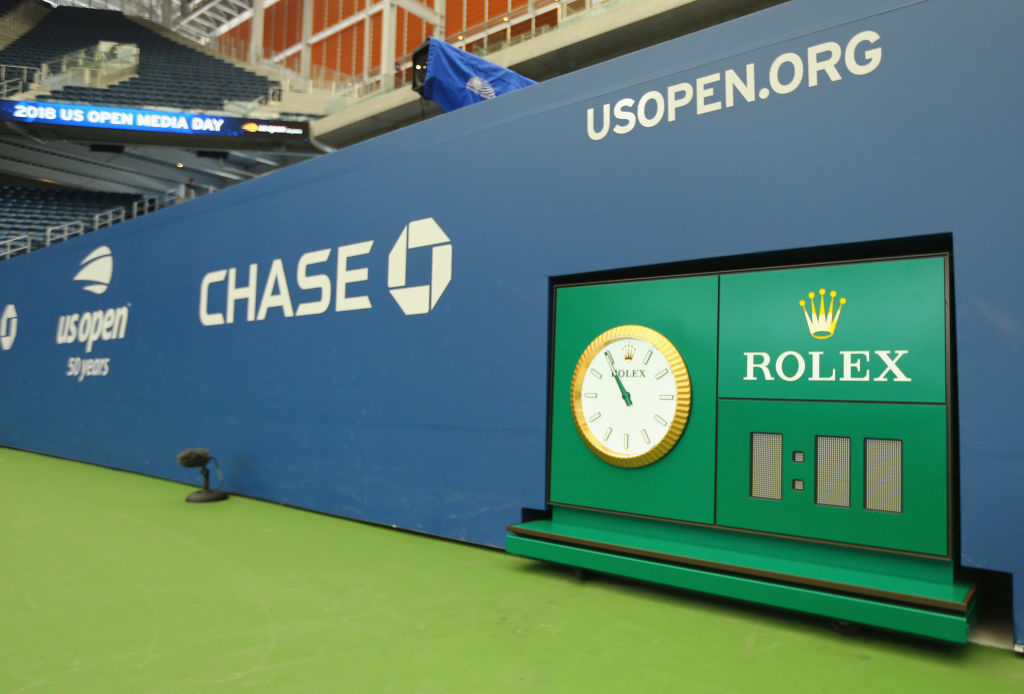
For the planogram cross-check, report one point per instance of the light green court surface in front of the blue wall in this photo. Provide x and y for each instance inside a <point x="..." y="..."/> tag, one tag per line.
<point x="112" y="583"/>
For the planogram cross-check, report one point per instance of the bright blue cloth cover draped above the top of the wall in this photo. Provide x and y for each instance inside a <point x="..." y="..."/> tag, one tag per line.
<point x="456" y="79"/>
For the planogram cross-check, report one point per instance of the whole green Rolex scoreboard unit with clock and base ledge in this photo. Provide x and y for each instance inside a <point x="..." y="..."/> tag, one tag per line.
<point x="779" y="436"/>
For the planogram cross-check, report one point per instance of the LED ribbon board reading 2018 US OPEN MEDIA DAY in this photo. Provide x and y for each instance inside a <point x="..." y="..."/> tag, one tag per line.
<point x="121" y="118"/>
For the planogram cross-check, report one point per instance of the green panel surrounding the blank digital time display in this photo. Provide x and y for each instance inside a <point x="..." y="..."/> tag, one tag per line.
<point x="920" y="527"/>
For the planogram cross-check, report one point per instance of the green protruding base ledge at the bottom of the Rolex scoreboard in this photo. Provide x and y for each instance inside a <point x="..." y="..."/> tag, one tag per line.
<point x="914" y="595"/>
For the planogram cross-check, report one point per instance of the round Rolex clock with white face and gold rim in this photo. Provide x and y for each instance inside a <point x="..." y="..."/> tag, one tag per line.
<point x="631" y="397"/>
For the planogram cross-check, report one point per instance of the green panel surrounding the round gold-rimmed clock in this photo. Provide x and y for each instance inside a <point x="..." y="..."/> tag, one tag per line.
<point x="681" y="485"/>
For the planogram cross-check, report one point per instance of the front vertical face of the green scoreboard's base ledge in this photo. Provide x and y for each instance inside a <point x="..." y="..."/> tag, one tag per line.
<point x="900" y="618"/>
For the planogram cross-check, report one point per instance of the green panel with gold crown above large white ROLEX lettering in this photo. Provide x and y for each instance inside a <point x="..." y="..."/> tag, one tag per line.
<point x="895" y="308"/>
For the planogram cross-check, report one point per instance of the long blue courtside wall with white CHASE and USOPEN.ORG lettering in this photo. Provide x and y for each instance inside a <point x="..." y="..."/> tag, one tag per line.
<point x="438" y="422"/>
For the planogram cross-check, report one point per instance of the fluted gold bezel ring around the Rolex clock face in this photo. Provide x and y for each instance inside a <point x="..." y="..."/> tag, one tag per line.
<point x="684" y="396"/>
